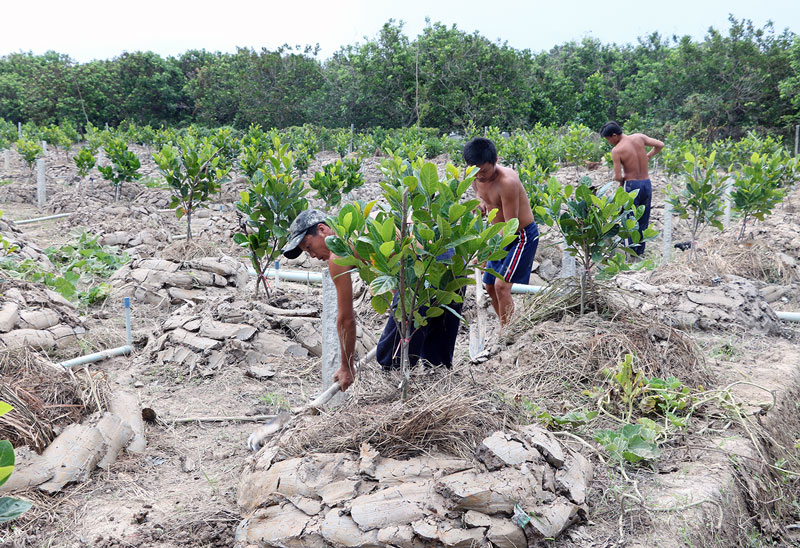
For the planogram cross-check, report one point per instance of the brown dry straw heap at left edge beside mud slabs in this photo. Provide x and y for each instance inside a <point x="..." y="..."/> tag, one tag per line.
<point x="45" y="398"/>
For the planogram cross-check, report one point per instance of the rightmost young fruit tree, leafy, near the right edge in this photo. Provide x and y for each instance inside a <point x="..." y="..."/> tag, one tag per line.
<point x="756" y="190"/>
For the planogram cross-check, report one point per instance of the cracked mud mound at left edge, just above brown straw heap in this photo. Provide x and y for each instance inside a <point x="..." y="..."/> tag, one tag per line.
<point x="32" y="316"/>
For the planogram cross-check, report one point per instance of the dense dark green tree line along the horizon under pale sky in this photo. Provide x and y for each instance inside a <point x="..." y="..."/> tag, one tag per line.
<point x="724" y="85"/>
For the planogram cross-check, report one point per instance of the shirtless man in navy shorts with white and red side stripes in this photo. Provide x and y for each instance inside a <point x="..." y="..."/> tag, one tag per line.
<point x="499" y="187"/>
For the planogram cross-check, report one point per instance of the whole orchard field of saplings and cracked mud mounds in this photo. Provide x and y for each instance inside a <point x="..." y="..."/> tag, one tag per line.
<point x="653" y="402"/>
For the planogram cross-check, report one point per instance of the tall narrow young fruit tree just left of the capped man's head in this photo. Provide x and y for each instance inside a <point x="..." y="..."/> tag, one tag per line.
<point x="275" y="197"/>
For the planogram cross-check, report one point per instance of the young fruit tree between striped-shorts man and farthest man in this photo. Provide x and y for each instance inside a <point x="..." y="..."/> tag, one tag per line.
<point x="598" y="230"/>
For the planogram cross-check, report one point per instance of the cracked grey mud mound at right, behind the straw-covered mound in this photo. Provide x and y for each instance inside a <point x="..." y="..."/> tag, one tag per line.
<point x="734" y="303"/>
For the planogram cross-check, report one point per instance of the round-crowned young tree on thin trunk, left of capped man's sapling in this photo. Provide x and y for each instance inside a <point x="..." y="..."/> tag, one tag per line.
<point x="194" y="169"/>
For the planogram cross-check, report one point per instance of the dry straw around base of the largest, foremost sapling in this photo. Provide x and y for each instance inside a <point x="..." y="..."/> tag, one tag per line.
<point x="446" y="412"/>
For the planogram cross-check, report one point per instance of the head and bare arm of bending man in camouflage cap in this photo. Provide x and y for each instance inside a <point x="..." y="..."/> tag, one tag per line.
<point x="307" y="233"/>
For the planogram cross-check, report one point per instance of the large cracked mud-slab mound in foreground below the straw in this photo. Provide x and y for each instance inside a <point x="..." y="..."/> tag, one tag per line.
<point x="337" y="499"/>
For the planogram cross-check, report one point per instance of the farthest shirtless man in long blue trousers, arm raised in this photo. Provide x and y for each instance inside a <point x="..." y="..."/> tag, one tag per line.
<point x="630" y="168"/>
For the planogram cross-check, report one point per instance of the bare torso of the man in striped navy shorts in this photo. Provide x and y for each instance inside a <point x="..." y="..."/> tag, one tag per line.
<point x="501" y="188"/>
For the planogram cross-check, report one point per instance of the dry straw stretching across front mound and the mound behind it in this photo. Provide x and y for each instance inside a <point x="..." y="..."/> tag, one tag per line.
<point x="547" y="362"/>
